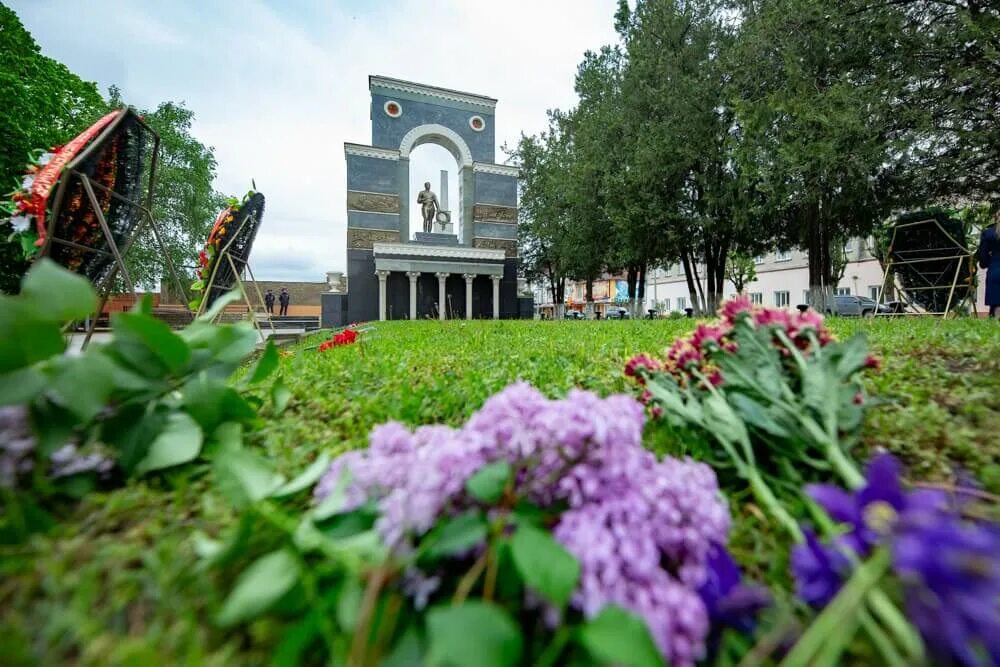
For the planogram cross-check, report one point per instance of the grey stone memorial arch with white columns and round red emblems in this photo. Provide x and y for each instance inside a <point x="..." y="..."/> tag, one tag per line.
<point x="395" y="272"/>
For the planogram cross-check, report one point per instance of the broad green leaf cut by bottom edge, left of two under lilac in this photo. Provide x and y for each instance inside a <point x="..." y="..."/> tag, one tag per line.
<point x="473" y="633"/>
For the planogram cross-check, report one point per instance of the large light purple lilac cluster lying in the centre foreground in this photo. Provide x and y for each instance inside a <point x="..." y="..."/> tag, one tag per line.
<point x="642" y="529"/>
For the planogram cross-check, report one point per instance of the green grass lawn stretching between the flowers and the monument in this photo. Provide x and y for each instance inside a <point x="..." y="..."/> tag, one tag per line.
<point x="117" y="582"/>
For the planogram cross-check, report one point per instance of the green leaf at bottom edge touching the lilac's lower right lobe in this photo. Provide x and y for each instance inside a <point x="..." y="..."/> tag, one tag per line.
<point x="618" y="637"/>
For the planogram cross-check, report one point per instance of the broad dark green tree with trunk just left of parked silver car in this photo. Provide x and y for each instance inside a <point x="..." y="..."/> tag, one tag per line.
<point x="821" y="134"/>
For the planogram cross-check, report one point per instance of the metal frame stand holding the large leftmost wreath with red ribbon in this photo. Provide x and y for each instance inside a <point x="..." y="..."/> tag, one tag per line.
<point x="116" y="254"/>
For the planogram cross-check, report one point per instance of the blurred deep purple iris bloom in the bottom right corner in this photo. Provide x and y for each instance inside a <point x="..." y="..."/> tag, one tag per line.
<point x="951" y="575"/>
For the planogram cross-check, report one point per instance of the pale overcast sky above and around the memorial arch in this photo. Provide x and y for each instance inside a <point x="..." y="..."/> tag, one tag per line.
<point x="278" y="86"/>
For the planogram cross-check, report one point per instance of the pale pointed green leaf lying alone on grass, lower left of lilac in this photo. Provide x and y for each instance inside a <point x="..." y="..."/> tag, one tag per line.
<point x="259" y="587"/>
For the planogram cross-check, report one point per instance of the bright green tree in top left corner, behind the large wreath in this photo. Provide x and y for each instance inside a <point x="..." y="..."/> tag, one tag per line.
<point x="44" y="104"/>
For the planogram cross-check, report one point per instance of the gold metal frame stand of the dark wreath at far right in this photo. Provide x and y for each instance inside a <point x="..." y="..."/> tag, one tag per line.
<point x="914" y="258"/>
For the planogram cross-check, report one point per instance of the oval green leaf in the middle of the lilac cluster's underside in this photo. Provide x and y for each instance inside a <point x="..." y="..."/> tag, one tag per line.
<point x="544" y="564"/>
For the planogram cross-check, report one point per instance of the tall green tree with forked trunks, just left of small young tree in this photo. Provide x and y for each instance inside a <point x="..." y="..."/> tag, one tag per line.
<point x="685" y="135"/>
